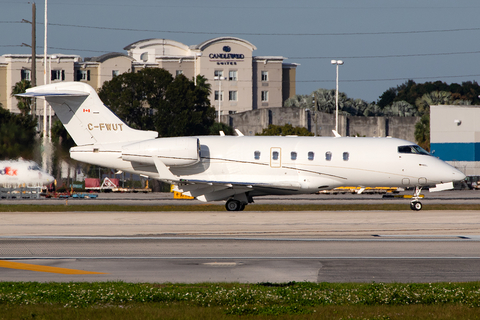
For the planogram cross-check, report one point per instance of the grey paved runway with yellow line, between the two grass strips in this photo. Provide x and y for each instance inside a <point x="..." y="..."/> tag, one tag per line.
<point x="349" y="246"/>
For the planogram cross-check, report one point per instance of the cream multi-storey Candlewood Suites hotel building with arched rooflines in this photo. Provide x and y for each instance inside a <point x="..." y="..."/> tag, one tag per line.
<point x="239" y="81"/>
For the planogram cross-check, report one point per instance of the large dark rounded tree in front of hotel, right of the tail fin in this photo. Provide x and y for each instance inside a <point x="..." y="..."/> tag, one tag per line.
<point x="152" y="99"/>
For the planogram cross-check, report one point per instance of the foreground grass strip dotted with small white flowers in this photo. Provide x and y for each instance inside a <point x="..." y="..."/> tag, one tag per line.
<point x="113" y="300"/>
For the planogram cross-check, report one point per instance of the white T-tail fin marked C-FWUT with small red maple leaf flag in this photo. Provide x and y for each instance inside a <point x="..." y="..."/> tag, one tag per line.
<point x="86" y="118"/>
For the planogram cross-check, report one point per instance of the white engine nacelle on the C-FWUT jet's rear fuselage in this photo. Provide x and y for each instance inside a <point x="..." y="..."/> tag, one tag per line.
<point x="181" y="151"/>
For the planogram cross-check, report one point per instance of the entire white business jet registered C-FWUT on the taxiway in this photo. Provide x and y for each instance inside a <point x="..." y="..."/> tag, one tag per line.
<point x="238" y="168"/>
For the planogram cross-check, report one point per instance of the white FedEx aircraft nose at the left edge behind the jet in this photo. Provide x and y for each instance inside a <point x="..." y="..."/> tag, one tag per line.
<point x="20" y="173"/>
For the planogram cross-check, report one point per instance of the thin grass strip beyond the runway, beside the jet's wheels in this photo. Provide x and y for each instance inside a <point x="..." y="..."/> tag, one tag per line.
<point x="221" y="207"/>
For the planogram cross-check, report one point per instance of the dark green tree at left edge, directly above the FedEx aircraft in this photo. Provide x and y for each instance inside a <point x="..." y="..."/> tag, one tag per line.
<point x="17" y="135"/>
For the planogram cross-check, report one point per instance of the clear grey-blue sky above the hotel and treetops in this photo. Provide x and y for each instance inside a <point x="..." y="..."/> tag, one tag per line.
<point x="383" y="43"/>
